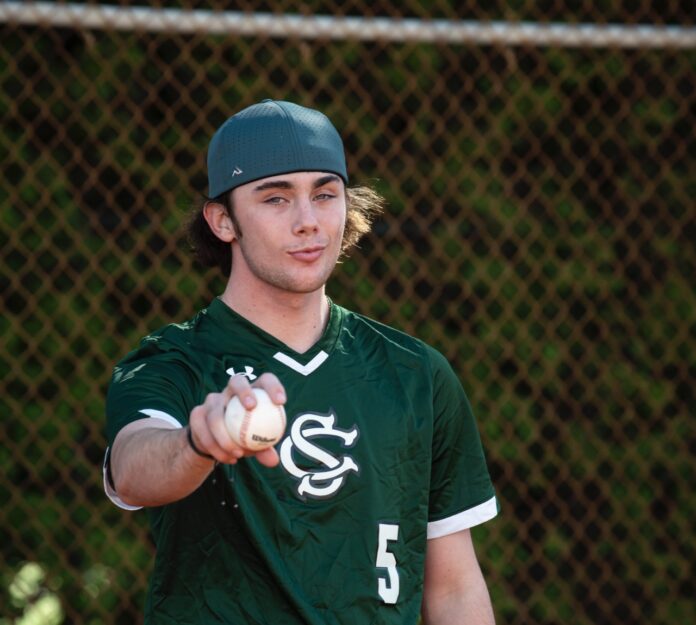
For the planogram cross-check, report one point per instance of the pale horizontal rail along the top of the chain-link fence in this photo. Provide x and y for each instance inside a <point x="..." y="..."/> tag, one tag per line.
<point x="110" y="17"/>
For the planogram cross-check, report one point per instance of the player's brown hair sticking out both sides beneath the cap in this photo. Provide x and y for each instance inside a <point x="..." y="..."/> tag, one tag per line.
<point x="363" y="204"/>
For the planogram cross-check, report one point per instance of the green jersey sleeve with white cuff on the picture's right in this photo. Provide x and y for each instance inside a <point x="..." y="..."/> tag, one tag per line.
<point x="461" y="491"/>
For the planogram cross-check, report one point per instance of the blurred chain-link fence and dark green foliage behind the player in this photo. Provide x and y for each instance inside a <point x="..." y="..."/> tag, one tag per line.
<point x="540" y="172"/>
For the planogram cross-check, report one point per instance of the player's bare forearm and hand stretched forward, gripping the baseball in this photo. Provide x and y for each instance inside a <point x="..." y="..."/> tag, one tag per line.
<point x="152" y="462"/>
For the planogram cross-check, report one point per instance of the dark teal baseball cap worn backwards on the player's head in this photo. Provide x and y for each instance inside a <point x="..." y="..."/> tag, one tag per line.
<point x="270" y="138"/>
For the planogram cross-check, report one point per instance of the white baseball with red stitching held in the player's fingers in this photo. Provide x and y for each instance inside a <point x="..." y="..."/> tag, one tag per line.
<point x="255" y="429"/>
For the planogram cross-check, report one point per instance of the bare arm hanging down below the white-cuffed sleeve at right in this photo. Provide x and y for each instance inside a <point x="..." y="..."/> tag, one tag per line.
<point x="455" y="592"/>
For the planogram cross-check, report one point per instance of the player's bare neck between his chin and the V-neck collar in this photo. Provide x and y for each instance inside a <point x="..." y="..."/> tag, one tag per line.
<point x="296" y="319"/>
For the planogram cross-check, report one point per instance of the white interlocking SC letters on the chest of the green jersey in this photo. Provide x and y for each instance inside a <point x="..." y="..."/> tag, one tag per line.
<point x="322" y="482"/>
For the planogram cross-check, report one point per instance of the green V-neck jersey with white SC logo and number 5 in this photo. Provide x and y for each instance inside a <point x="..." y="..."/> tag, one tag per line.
<point x="381" y="452"/>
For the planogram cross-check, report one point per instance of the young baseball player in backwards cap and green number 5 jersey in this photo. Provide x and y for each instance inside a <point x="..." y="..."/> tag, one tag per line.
<point x="362" y="513"/>
